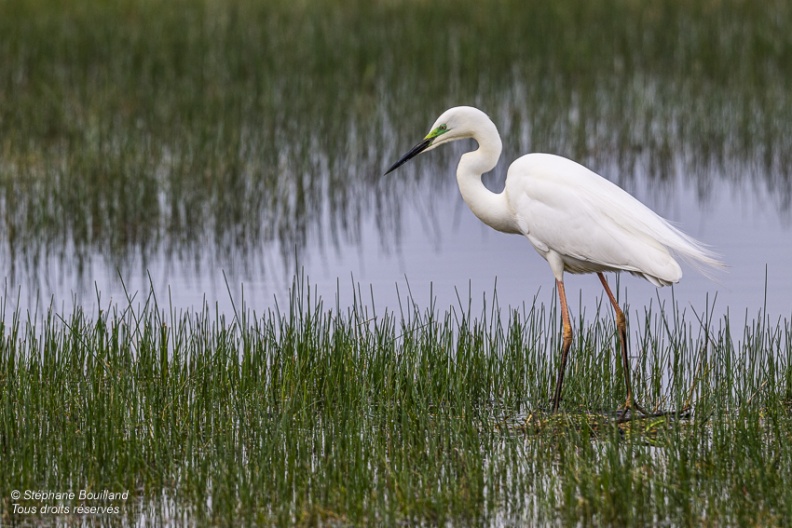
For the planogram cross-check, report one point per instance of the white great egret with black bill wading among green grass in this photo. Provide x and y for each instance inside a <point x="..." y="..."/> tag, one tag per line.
<point x="575" y="219"/>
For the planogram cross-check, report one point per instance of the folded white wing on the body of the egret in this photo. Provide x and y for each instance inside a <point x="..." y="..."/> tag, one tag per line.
<point x="593" y="224"/>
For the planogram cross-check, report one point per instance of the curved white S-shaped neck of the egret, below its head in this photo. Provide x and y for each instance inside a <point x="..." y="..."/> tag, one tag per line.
<point x="491" y="208"/>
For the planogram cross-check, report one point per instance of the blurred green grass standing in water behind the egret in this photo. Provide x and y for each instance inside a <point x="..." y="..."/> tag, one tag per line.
<point x="133" y="126"/>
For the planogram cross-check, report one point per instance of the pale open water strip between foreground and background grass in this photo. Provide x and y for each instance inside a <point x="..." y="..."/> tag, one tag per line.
<point x="437" y="251"/>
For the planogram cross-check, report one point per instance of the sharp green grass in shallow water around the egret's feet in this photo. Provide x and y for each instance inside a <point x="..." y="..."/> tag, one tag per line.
<point x="321" y="416"/>
